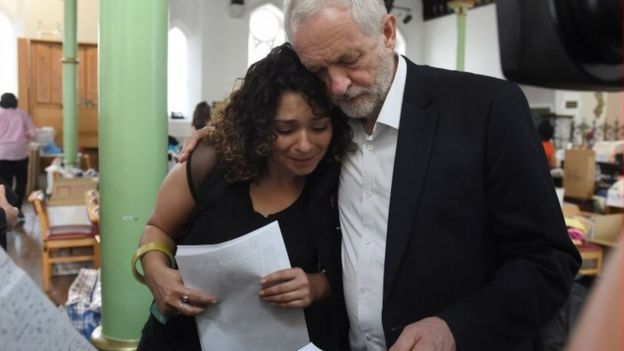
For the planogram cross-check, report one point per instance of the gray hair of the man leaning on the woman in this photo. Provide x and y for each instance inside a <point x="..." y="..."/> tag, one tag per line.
<point x="367" y="14"/>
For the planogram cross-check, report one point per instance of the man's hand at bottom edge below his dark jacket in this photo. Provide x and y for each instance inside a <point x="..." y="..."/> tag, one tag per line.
<point x="430" y="334"/>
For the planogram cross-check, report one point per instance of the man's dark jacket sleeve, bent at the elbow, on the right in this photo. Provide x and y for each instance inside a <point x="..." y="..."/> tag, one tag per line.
<point x="538" y="261"/>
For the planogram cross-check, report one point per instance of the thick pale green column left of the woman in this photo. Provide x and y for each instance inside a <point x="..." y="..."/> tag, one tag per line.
<point x="133" y="154"/>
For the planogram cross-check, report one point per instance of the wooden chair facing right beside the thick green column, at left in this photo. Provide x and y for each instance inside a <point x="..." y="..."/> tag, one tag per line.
<point x="65" y="237"/>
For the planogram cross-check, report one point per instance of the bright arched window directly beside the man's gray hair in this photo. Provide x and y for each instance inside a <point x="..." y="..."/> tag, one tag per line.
<point x="266" y="31"/>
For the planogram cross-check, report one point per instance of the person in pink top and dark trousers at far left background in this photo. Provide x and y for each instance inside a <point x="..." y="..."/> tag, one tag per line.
<point x="16" y="130"/>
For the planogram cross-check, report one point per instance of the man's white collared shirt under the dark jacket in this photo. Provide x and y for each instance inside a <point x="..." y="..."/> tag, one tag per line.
<point x="364" y="201"/>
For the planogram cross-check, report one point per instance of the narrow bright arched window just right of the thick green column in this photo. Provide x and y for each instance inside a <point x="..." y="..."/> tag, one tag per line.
<point x="177" y="73"/>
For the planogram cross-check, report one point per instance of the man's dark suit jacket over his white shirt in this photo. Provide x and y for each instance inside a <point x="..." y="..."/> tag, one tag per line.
<point x="475" y="231"/>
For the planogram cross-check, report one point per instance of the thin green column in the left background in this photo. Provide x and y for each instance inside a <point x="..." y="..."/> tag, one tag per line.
<point x="70" y="122"/>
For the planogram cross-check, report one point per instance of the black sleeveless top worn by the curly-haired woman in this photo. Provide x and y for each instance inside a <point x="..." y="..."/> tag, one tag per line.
<point x="308" y="227"/>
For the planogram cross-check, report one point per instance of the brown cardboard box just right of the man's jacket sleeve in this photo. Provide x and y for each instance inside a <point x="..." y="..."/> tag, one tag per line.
<point x="579" y="173"/>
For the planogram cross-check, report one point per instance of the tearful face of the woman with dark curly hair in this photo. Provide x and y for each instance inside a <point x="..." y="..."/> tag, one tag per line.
<point x="302" y="138"/>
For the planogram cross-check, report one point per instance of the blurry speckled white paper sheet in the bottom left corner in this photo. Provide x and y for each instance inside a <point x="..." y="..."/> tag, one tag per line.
<point x="28" y="319"/>
